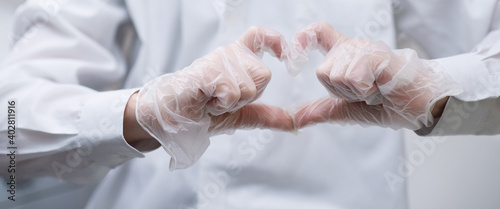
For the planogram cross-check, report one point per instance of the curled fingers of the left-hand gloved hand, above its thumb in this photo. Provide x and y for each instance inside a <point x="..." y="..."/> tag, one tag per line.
<point x="238" y="80"/>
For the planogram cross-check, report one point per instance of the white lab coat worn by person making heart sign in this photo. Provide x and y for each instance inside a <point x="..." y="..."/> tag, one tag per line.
<point x="66" y="70"/>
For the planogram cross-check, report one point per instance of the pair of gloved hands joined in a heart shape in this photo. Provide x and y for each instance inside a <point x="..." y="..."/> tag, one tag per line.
<point x="369" y="84"/>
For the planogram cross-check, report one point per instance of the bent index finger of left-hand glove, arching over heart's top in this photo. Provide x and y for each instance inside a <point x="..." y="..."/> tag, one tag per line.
<point x="260" y="39"/>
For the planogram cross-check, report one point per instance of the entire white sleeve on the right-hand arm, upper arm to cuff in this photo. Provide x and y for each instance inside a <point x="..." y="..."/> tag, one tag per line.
<point x="466" y="41"/>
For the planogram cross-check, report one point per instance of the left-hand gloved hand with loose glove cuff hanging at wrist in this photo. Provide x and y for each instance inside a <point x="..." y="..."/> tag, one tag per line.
<point x="212" y="96"/>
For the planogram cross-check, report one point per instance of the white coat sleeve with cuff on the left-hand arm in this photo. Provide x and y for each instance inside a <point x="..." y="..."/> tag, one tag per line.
<point x="62" y="72"/>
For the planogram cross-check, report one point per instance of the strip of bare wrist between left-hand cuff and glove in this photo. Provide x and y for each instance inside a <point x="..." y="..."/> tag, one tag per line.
<point x="133" y="133"/>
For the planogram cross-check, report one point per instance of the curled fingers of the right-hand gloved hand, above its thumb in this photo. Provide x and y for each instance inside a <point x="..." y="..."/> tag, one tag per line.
<point x="349" y="71"/>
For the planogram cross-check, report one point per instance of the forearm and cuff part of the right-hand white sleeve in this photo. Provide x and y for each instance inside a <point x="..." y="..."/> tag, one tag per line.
<point x="477" y="110"/>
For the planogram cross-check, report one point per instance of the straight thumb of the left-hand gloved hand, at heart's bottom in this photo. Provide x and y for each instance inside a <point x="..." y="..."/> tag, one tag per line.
<point x="253" y="116"/>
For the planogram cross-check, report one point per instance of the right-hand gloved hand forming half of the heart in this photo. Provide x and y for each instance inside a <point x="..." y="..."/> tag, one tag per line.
<point x="369" y="83"/>
